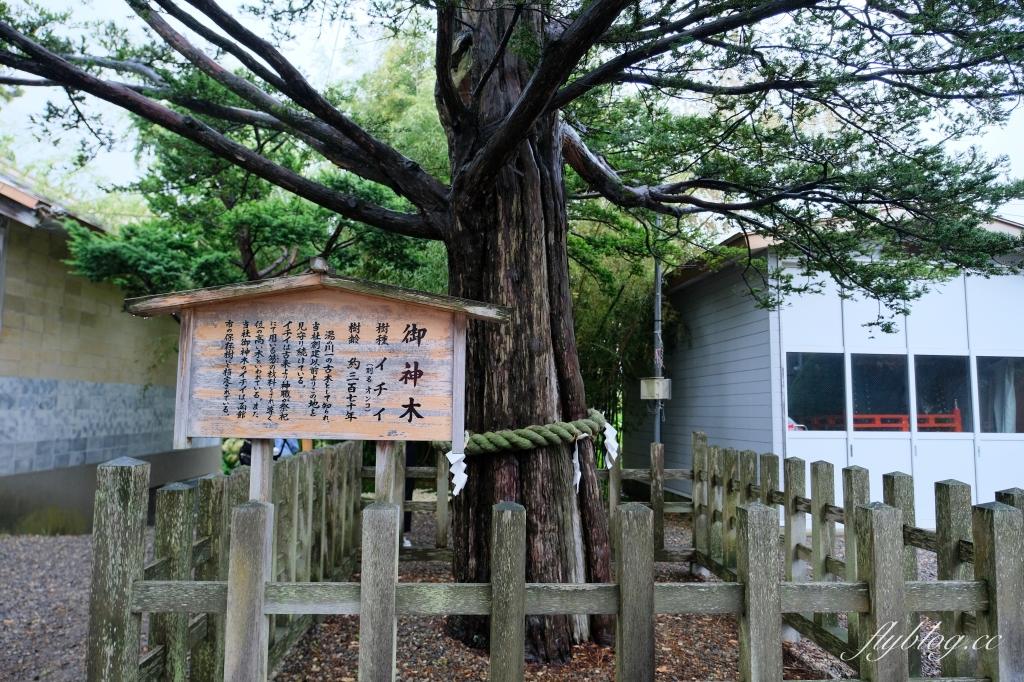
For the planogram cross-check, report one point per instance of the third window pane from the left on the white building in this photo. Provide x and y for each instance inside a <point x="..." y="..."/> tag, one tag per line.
<point x="944" y="385"/>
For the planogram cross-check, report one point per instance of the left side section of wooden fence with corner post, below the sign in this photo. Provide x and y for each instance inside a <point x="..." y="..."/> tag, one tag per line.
<point x="316" y="534"/>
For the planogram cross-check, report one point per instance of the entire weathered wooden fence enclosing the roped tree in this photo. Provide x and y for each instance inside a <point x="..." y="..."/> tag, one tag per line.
<point x="737" y="537"/>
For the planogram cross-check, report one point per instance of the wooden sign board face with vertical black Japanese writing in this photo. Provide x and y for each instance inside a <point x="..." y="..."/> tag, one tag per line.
<point x="272" y="370"/>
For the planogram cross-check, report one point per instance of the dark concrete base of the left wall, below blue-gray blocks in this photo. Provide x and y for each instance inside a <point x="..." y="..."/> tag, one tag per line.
<point x="64" y="498"/>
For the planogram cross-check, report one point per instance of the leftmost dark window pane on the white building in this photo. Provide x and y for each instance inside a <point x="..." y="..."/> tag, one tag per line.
<point x="817" y="392"/>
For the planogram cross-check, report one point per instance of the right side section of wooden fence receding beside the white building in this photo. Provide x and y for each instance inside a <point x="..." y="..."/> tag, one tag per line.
<point x="724" y="480"/>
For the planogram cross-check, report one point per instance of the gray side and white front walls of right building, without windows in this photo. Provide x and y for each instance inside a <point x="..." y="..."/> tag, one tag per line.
<point x="729" y="380"/>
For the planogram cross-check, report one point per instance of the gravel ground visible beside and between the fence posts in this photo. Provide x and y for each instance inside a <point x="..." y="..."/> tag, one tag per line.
<point x="45" y="585"/>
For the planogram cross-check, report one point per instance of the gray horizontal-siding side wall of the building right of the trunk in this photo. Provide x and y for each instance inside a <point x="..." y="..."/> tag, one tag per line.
<point x="723" y="375"/>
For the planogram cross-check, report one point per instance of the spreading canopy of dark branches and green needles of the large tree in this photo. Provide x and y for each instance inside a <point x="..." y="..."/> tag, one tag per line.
<point x="799" y="120"/>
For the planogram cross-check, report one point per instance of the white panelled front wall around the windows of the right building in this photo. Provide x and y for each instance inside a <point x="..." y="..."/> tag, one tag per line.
<point x="967" y="317"/>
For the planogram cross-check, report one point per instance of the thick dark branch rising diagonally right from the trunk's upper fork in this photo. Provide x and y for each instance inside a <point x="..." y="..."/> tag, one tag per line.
<point x="560" y="59"/>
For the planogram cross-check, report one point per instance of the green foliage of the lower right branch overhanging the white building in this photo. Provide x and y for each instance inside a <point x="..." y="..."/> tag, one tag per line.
<point x="874" y="207"/>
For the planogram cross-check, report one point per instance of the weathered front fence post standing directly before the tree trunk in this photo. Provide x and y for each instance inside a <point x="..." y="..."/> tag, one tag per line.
<point x="508" y="592"/>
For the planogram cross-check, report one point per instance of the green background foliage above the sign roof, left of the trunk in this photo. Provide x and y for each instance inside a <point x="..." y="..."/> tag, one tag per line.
<point x="215" y="224"/>
